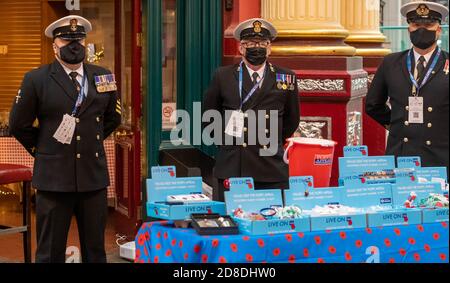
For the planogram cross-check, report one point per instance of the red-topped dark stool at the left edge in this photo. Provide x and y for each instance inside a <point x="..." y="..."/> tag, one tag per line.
<point x="19" y="174"/>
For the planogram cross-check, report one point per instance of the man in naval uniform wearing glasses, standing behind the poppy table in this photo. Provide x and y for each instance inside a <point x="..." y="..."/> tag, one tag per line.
<point x="256" y="94"/>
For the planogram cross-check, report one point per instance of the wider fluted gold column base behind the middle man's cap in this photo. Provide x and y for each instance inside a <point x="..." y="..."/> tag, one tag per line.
<point x="307" y="27"/>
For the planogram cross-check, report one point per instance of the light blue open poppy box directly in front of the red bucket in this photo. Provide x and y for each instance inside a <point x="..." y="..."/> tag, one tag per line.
<point x="303" y="194"/>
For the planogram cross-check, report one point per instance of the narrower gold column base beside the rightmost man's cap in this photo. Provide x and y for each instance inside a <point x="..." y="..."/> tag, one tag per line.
<point x="362" y="19"/>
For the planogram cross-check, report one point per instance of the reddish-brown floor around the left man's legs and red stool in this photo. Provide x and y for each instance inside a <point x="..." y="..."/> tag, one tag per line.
<point x="11" y="245"/>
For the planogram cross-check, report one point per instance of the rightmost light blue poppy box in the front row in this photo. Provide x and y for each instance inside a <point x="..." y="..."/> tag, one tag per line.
<point x="407" y="185"/>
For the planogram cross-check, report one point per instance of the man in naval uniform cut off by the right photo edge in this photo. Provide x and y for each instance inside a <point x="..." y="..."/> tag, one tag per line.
<point x="416" y="83"/>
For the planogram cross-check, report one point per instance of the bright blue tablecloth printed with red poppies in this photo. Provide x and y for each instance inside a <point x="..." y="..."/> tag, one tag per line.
<point x="161" y="242"/>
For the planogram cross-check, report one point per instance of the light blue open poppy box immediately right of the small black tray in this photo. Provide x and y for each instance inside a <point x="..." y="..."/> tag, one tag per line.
<point x="243" y="196"/>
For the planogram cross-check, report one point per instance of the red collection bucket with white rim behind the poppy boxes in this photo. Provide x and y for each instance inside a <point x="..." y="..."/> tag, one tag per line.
<point x="311" y="157"/>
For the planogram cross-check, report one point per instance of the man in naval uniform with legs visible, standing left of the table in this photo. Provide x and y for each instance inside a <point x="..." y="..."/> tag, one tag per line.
<point x="61" y="115"/>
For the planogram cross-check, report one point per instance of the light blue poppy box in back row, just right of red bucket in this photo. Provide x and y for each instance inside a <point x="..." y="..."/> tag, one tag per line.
<point x="368" y="169"/>
